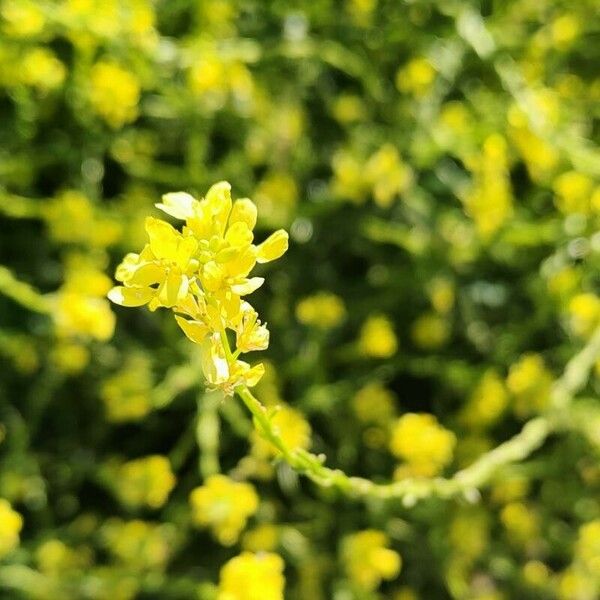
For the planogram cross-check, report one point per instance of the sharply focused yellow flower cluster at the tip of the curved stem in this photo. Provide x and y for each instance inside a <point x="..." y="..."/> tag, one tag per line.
<point x="202" y="275"/>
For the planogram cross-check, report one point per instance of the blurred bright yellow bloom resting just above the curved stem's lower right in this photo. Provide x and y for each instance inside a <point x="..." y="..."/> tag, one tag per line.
<point x="422" y="442"/>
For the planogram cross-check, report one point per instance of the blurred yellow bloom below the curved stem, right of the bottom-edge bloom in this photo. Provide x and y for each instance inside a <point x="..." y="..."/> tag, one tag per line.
<point x="367" y="560"/>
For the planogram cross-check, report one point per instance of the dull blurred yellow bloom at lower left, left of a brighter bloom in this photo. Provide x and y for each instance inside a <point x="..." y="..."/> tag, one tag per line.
<point x="145" y="481"/>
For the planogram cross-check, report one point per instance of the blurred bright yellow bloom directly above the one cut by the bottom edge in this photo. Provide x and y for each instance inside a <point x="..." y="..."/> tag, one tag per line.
<point x="223" y="505"/>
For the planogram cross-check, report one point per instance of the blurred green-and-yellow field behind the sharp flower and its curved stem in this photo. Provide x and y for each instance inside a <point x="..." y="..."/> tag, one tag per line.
<point x="434" y="162"/>
